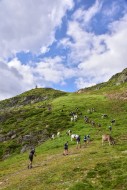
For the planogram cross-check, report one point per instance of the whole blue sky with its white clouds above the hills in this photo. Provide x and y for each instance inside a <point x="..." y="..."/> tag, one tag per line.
<point x="66" y="45"/>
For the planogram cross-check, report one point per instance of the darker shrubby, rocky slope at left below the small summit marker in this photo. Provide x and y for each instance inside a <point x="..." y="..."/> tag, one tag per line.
<point x="27" y="114"/>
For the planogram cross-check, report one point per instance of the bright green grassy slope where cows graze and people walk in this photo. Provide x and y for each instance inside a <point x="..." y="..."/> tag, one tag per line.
<point x="91" y="167"/>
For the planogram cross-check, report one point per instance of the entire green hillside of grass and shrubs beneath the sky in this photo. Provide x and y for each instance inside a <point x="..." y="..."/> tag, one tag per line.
<point x="29" y="120"/>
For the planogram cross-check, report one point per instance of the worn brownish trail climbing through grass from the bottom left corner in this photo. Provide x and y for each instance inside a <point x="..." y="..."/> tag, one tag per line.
<point x="37" y="168"/>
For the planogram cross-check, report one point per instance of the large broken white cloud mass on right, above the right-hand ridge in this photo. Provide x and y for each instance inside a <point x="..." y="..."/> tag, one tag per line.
<point x="97" y="57"/>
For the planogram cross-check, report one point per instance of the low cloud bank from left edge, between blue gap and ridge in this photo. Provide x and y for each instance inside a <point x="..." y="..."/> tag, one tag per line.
<point x="16" y="78"/>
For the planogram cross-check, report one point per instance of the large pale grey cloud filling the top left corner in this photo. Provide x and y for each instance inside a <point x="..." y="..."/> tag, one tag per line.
<point x="29" y="25"/>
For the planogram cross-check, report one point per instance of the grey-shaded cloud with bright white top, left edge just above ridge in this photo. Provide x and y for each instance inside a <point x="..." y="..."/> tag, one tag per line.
<point x="14" y="79"/>
